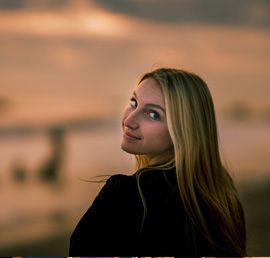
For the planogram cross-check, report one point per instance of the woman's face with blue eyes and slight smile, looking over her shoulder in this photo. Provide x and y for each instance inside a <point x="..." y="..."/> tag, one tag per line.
<point x="145" y="125"/>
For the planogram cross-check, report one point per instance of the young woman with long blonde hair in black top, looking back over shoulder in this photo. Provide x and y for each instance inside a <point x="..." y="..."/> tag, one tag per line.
<point x="180" y="201"/>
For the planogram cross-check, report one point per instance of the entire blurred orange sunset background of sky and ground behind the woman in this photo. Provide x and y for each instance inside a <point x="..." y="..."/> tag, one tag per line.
<point x="67" y="70"/>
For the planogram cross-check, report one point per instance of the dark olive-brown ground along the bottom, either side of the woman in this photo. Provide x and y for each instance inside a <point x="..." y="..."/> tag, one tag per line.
<point x="256" y="203"/>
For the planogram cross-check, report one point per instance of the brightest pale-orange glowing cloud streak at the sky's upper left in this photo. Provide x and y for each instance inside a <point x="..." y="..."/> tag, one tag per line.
<point x="84" y="23"/>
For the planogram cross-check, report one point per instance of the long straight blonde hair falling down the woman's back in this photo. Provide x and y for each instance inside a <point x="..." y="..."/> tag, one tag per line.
<point x="199" y="170"/>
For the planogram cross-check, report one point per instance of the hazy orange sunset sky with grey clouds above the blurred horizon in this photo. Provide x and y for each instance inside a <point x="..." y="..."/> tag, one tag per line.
<point x="68" y="60"/>
